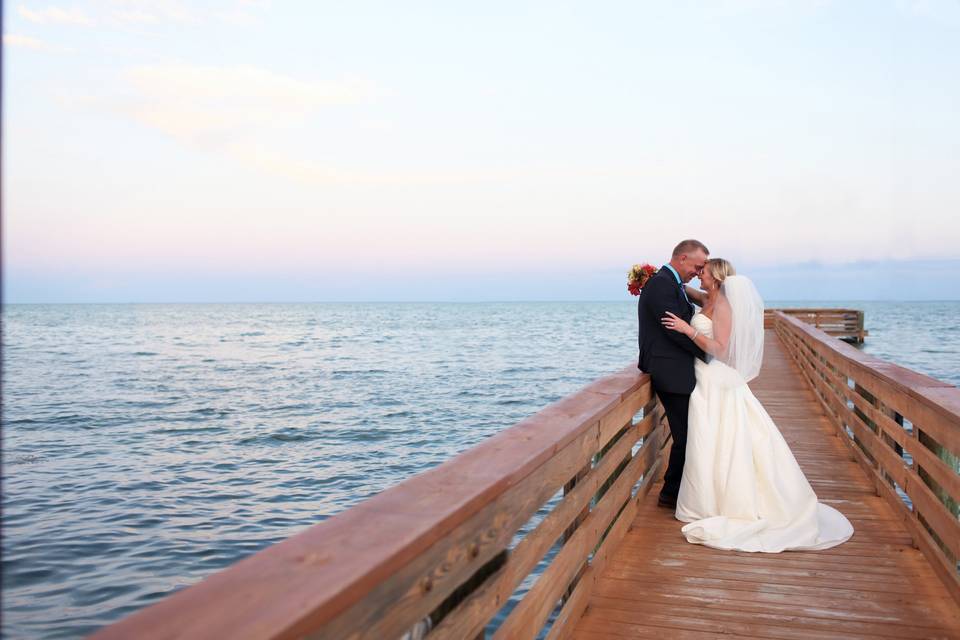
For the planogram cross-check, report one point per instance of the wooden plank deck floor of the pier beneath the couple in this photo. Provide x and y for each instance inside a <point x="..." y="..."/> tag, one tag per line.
<point x="877" y="585"/>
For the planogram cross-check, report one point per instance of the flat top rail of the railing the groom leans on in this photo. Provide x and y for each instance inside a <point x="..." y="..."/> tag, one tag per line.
<point x="297" y="585"/>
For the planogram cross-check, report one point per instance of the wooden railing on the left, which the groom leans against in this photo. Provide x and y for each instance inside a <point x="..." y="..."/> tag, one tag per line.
<point x="447" y="548"/>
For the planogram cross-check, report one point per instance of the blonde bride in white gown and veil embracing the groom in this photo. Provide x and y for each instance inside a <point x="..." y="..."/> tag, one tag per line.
<point x="742" y="489"/>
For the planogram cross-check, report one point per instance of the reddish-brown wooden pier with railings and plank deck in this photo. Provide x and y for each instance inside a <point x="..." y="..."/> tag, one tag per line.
<point x="569" y="496"/>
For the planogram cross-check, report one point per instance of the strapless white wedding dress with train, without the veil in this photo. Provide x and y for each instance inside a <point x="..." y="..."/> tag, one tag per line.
<point x="742" y="489"/>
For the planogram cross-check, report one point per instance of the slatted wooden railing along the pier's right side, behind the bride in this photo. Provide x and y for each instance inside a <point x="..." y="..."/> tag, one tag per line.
<point x="904" y="427"/>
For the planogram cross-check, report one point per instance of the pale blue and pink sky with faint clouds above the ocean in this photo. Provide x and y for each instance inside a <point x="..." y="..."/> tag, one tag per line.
<point x="231" y="150"/>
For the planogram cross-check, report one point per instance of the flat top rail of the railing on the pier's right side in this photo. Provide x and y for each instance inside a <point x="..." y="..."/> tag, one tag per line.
<point x="941" y="396"/>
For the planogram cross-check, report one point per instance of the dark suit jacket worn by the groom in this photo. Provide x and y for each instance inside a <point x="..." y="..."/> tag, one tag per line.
<point x="666" y="355"/>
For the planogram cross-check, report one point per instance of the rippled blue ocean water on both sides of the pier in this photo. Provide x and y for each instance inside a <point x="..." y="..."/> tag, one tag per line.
<point x="147" y="446"/>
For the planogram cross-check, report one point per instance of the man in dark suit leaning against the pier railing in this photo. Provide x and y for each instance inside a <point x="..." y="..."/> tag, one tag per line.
<point x="668" y="355"/>
